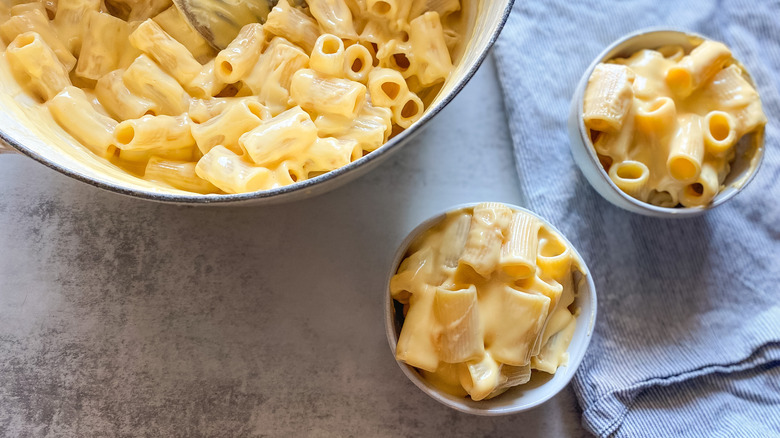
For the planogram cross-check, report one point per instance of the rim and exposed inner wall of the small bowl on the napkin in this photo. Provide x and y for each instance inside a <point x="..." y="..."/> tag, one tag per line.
<point x="750" y="149"/>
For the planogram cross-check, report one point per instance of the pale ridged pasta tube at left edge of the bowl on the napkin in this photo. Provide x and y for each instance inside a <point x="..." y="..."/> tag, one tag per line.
<point x="609" y="97"/>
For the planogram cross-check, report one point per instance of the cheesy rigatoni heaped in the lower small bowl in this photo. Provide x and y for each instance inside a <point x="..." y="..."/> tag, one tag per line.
<point x="487" y="297"/>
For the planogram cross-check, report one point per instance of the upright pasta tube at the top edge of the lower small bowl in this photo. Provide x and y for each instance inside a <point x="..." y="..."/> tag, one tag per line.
<point x="489" y="223"/>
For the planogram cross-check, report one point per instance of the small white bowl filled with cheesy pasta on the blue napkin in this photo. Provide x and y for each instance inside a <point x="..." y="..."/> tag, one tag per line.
<point x="667" y="124"/>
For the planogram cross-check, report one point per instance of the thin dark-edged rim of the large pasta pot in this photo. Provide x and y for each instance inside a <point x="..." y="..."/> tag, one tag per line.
<point x="299" y="186"/>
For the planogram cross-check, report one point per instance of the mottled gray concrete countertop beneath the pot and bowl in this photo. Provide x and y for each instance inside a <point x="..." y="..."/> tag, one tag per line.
<point x="121" y="317"/>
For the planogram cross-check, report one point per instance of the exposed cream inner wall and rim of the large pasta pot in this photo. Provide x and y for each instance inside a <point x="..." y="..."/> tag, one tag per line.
<point x="21" y="130"/>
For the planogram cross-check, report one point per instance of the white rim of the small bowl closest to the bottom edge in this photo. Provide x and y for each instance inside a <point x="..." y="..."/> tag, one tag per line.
<point x="445" y="399"/>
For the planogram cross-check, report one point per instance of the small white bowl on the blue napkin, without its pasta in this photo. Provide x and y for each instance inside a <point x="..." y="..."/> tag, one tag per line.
<point x="743" y="168"/>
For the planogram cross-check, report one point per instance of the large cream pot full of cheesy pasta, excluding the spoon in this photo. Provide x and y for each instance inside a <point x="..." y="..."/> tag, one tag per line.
<point x="128" y="98"/>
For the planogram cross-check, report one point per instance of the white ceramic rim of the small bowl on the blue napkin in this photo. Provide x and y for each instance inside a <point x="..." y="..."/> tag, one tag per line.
<point x="658" y="211"/>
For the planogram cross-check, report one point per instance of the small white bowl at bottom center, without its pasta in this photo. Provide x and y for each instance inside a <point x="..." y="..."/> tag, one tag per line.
<point x="519" y="398"/>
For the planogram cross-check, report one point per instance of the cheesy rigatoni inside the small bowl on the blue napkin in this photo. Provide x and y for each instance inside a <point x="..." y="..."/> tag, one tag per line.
<point x="666" y="124"/>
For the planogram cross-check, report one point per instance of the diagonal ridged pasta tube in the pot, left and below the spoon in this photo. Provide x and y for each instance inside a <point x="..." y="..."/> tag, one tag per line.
<point x="169" y="54"/>
